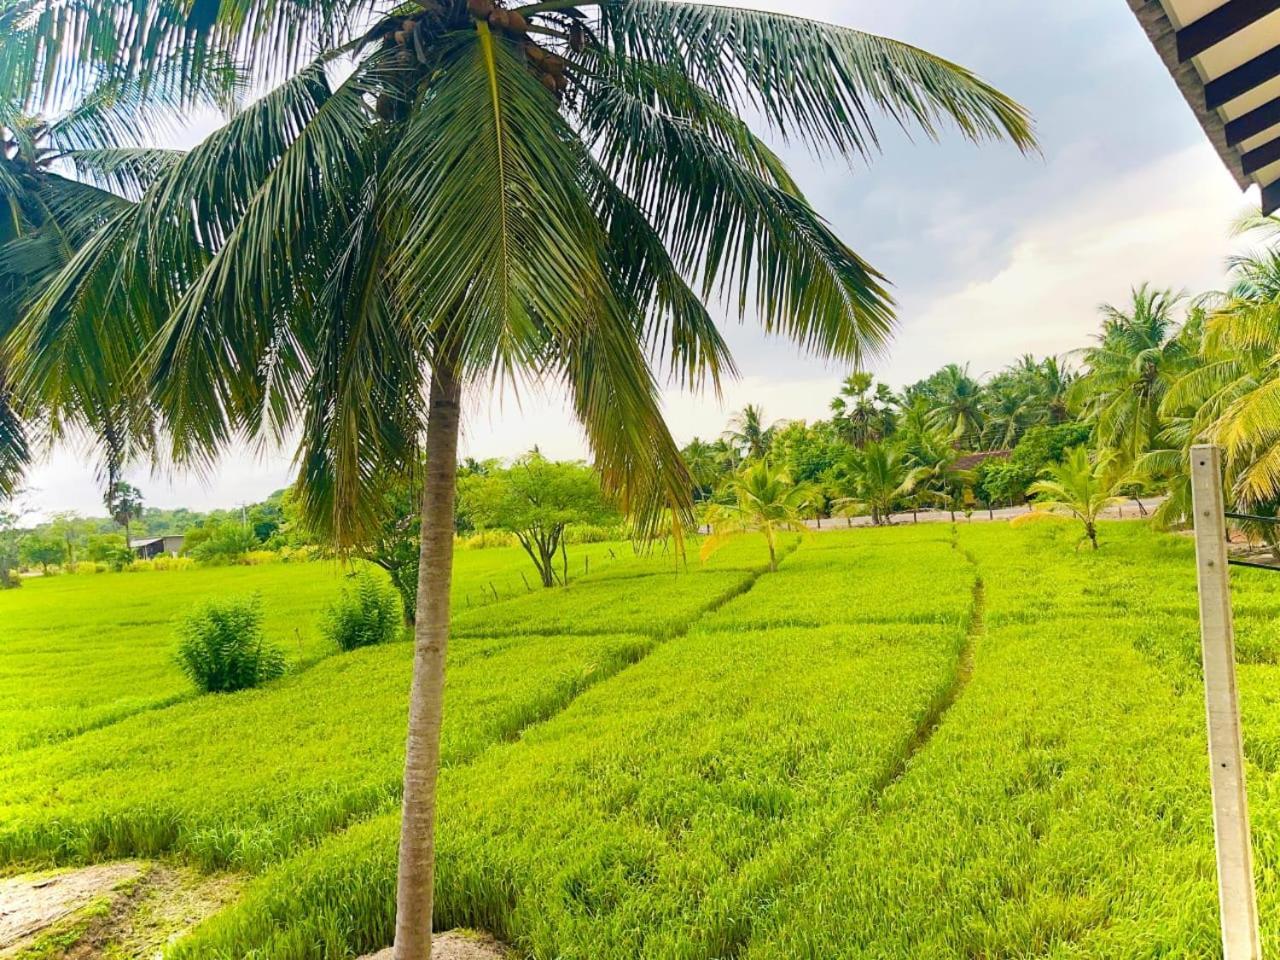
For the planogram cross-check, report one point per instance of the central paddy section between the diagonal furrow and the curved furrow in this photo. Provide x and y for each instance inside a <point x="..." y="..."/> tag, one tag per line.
<point x="660" y="812"/>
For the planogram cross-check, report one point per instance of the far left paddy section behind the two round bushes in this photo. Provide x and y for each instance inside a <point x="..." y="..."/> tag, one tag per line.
<point x="83" y="652"/>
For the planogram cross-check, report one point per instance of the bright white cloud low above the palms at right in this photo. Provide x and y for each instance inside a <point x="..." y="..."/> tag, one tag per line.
<point x="1167" y="225"/>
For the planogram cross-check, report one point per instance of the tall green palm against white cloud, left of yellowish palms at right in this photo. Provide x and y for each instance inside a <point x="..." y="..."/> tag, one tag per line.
<point x="1139" y="356"/>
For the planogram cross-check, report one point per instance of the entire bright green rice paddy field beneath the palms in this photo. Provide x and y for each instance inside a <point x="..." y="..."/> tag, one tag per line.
<point x="927" y="742"/>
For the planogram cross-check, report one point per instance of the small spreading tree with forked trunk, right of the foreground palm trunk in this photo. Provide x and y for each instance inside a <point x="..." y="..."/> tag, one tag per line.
<point x="537" y="500"/>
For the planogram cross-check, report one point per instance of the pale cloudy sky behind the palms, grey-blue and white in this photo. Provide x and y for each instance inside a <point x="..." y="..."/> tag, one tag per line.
<point x="991" y="254"/>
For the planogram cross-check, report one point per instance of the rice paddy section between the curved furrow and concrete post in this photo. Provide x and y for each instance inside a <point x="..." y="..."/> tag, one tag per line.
<point x="1063" y="807"/>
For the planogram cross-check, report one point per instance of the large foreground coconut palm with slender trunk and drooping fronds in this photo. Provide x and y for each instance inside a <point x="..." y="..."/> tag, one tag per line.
<point x="454" y="193"/>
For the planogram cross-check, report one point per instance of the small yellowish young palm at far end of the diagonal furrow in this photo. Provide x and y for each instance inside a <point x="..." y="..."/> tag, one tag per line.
<point x="760" y="500"/>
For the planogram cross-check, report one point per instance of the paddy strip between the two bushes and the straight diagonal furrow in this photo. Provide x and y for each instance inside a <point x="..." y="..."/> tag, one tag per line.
<point x="244" y="780"/>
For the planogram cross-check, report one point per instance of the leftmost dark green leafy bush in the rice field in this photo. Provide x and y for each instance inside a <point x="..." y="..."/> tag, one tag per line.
<point x="223" y="650"/>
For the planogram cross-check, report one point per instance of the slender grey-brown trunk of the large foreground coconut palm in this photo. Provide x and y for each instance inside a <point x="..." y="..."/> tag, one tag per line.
<point x="417" y="879"/>
